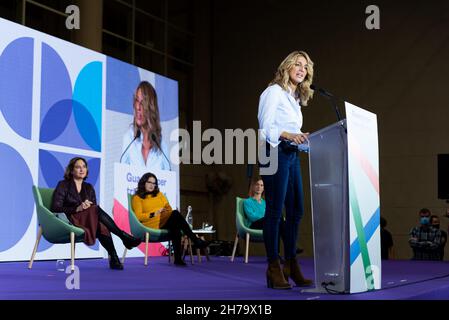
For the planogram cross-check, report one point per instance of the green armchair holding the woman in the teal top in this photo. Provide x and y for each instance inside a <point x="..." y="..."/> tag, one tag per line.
<point x="243" y="231"/>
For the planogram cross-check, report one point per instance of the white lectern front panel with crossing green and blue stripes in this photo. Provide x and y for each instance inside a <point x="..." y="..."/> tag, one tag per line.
<point x="364" y="200"/>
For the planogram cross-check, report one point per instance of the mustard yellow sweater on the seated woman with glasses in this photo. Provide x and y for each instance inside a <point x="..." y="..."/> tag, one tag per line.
<point x="145" y="209"/>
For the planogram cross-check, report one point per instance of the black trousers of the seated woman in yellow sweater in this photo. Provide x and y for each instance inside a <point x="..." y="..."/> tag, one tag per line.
<point x="177" y="225"/>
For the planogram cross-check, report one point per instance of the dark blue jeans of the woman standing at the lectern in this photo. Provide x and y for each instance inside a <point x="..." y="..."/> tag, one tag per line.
<point x="283" y="188"/>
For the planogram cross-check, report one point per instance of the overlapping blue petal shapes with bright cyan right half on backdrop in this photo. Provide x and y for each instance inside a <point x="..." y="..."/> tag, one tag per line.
<point x="78" y="115"/>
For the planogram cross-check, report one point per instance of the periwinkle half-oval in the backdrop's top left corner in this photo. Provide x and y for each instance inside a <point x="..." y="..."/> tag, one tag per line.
<point x="16" y="85"/>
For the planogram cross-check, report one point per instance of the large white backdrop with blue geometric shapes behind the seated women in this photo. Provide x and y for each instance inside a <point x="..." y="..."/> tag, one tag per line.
<point x="57" y="101"/>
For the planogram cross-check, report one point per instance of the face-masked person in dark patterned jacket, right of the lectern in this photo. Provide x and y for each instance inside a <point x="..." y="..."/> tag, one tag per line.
<point x="425" y="240"/>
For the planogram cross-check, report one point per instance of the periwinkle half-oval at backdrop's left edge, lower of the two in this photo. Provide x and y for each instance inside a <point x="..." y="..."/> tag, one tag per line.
<point x="17" y="207"/>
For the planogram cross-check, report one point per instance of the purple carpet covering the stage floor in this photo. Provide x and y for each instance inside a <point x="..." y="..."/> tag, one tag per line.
<point x="218" y="279"/>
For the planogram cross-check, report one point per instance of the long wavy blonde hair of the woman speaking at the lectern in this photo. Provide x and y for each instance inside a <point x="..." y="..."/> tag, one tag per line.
<point x="282" y="78"/>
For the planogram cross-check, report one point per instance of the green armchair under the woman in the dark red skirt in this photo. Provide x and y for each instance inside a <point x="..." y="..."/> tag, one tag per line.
<point x="54" y="229"/>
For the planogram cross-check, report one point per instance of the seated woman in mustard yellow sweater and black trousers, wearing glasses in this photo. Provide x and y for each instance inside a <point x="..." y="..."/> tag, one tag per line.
<point x="153" y="210"/>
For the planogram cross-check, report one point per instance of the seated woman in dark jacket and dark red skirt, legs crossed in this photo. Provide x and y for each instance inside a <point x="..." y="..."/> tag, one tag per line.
<point x="76" y="198"/>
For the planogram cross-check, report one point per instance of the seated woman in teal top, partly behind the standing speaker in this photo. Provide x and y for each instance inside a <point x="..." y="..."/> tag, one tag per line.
<point x="254" y="207"/>
